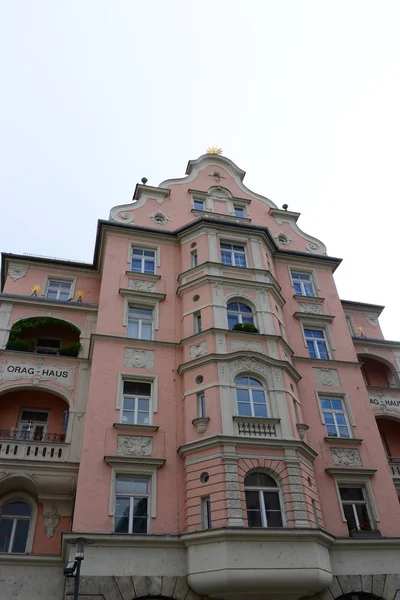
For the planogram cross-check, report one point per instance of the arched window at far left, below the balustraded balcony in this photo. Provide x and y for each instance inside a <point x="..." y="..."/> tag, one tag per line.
<point x="15" y="519"/>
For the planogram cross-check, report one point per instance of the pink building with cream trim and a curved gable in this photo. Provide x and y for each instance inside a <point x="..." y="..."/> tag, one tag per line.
<point x="200" y="404"/>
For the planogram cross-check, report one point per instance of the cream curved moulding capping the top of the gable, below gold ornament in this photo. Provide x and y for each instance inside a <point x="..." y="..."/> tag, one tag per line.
<point x="218" y="161"/>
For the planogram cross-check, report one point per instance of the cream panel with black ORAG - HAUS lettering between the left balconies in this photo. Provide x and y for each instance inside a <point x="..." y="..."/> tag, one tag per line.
<point x="38" y="371"/>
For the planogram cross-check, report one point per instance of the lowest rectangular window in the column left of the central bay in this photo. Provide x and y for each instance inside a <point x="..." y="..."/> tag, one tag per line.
<point x="131" y="513"/>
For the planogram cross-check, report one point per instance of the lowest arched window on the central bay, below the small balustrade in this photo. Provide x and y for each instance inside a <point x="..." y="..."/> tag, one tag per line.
<point x="262" y="501"/>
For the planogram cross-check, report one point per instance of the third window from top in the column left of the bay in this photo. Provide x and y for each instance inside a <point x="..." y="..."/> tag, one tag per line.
<point x="136" y="401"/>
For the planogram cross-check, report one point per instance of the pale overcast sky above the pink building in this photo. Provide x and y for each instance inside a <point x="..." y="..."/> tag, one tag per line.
<point x="302" y="95"/>
